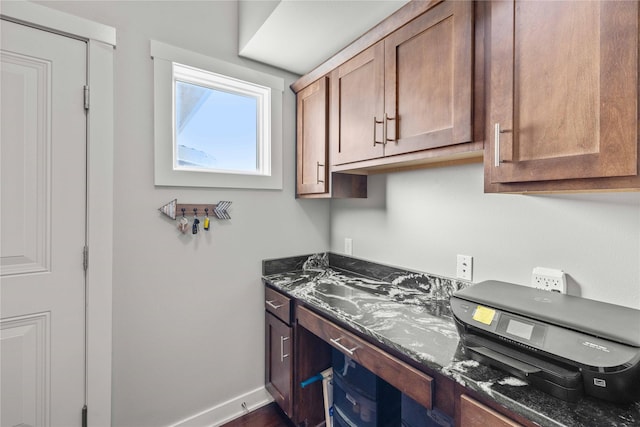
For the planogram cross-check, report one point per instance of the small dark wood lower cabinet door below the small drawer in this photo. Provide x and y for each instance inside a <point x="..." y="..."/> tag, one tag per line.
<point x="279" y="375"/>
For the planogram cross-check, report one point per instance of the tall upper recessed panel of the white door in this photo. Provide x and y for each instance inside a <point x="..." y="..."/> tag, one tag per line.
<point x="24" y="164"/>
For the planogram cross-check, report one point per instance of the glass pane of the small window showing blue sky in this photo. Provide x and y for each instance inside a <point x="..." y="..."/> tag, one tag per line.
<point x="215" y="129"/>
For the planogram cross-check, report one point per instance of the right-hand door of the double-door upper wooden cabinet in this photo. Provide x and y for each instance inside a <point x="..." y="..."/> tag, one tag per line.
<point x="429" y="80"/>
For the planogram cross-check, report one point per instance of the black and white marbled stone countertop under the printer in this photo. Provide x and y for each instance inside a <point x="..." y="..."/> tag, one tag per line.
<point x="409" y="312"/>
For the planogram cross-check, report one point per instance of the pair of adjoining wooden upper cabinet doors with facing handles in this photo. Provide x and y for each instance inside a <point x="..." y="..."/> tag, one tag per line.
<point x="410" y="92"/>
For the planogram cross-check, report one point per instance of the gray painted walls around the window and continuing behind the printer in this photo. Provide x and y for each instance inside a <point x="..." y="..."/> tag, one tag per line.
<point x="188" y="316"/>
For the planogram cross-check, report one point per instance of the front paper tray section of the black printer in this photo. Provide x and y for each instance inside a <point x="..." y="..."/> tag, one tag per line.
<point x="555" y="379"/>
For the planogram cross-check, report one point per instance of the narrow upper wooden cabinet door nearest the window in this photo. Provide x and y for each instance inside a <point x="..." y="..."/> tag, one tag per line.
<point x="313" y="138"/>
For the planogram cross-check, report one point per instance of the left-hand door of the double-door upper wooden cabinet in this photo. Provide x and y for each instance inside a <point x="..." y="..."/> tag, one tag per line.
<point x="357" y="104"/>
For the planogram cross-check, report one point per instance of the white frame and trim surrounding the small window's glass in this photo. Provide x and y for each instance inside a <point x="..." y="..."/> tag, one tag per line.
<point x="165" y="174"/>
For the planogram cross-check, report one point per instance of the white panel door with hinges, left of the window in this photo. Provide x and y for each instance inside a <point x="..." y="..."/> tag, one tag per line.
<point x="42" y="220"/>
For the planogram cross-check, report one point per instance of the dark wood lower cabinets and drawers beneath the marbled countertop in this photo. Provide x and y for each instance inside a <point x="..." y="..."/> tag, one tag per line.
<point x="299" y="343"/>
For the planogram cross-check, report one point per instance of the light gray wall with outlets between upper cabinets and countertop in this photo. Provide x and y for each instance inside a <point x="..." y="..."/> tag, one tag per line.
<point x="422" y="219"/>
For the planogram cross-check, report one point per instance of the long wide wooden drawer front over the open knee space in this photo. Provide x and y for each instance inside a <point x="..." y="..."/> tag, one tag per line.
<point x="406" y="378"/>
